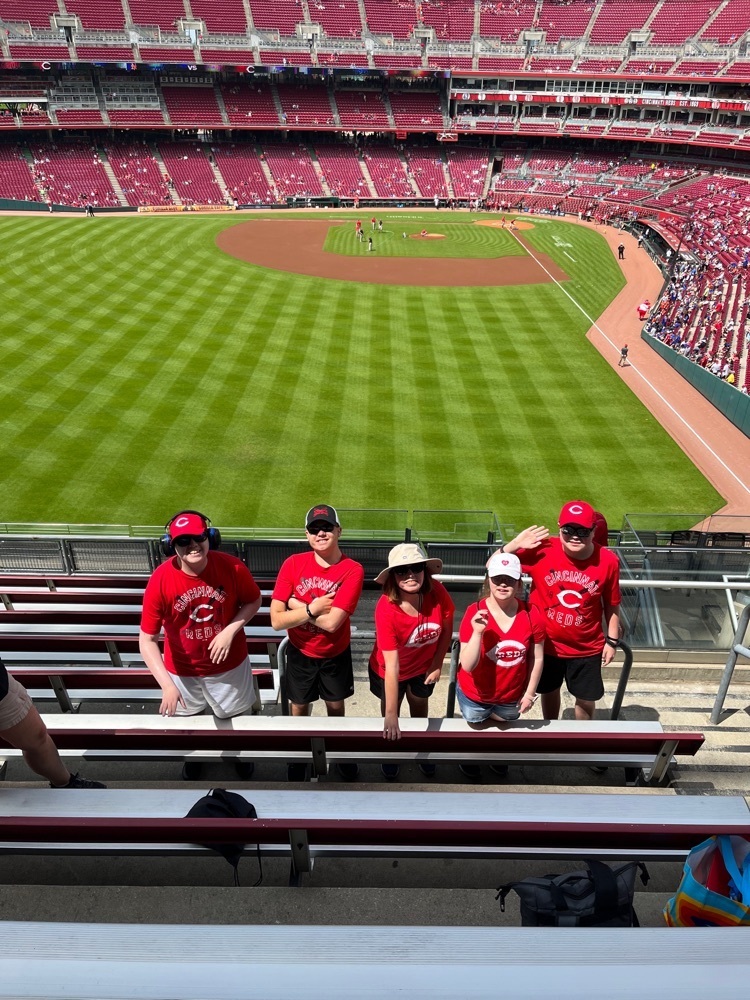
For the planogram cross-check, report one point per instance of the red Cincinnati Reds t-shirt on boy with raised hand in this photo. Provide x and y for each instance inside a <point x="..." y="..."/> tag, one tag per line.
<point x="571" y="594"/>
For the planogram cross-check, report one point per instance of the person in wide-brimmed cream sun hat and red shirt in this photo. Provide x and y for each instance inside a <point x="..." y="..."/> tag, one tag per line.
<point x="413" y="630"/>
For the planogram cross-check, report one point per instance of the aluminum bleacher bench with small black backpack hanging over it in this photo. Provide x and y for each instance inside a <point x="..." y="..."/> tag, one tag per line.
<point x="308" y="823"/>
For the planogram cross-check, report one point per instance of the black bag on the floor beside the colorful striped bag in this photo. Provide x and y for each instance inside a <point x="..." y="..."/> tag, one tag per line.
<point x="599" y="897"/>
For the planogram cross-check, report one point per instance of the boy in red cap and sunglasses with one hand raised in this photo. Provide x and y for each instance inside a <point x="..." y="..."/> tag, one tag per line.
<point x="576" y="583"/>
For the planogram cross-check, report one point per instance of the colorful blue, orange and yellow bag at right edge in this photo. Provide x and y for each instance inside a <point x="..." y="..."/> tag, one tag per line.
<point x="715" y="887"/>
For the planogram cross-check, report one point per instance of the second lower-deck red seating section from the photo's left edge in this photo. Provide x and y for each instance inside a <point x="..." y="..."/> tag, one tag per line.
<point x="71" y="173"/>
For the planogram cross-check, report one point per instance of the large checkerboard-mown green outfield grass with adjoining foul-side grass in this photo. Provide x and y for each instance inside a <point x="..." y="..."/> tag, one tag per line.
<point x="145" y="370"/>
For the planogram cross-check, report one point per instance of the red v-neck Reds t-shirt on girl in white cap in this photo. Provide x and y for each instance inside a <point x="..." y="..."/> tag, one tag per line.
<point x="502" y="674"/>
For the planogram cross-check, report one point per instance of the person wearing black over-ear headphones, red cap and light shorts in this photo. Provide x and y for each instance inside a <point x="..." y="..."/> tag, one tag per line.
<point x="203" y="599"/>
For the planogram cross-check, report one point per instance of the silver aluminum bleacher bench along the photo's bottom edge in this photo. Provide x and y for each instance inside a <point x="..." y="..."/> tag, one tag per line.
<point x="270" y="962"/>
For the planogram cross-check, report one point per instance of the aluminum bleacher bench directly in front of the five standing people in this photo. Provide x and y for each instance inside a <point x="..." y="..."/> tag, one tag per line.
<point x="642" y="748"/>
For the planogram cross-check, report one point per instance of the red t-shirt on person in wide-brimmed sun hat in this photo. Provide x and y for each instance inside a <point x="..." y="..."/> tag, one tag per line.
<point x="413" y="636"/>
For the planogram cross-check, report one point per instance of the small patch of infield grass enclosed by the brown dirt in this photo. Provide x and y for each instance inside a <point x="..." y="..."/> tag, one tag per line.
<point x="461" y="239"/>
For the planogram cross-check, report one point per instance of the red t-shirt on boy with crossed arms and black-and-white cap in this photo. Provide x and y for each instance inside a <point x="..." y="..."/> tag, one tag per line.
<point x="303" y="577"/>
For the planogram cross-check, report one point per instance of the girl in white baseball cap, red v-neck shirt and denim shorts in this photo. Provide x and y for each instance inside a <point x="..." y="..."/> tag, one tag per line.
<point x="502" y="651"/>
